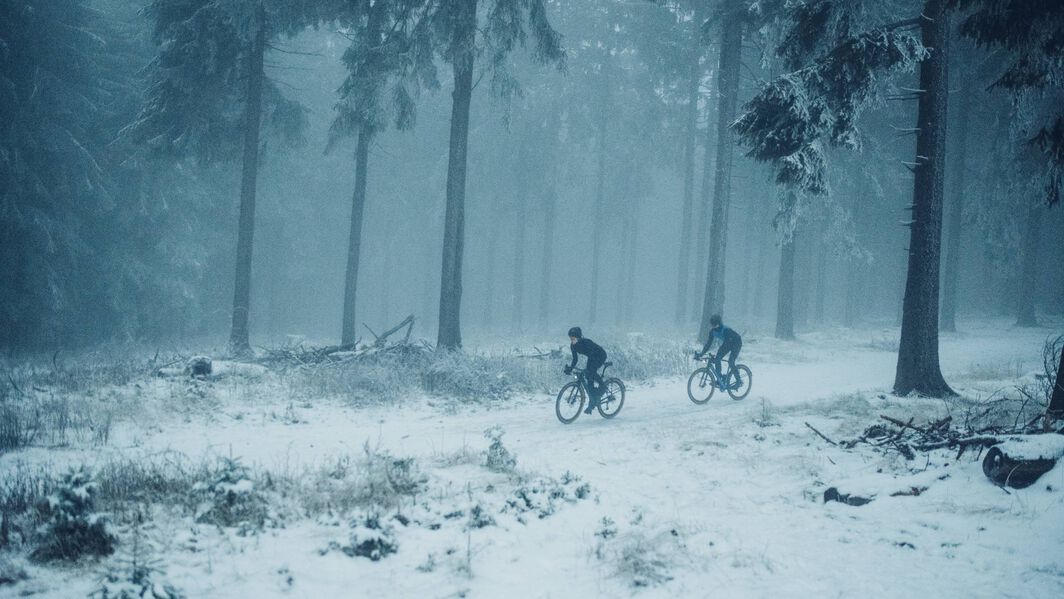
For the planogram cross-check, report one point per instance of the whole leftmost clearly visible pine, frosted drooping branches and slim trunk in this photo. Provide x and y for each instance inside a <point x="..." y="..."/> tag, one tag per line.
<point x="211" y="56"/>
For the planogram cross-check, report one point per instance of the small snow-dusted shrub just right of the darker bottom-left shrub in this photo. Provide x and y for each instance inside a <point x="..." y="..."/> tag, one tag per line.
<point x="229" y="498"/>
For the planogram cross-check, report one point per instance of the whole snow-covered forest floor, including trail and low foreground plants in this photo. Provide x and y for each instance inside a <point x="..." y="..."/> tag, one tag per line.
<point x="667" y="500"/>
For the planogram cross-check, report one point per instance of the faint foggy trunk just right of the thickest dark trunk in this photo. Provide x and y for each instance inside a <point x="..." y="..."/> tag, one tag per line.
<point x="953" y="263"/>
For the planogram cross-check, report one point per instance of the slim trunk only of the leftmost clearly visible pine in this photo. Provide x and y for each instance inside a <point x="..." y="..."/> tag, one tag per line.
<point x="239" y="341"/>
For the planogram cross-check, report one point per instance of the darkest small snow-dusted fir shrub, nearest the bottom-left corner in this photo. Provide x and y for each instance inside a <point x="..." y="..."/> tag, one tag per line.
<point x="72" y="528"/>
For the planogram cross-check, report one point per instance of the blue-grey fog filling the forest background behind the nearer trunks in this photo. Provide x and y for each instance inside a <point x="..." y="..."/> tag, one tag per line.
<point x="593" y="176"/>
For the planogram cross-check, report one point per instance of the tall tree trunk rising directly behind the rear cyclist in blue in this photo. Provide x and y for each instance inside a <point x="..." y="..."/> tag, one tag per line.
<point x="731" y="49"/>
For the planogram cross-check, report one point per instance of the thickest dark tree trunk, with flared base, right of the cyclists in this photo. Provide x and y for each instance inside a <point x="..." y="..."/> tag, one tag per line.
<point x="919" y="369"/>
